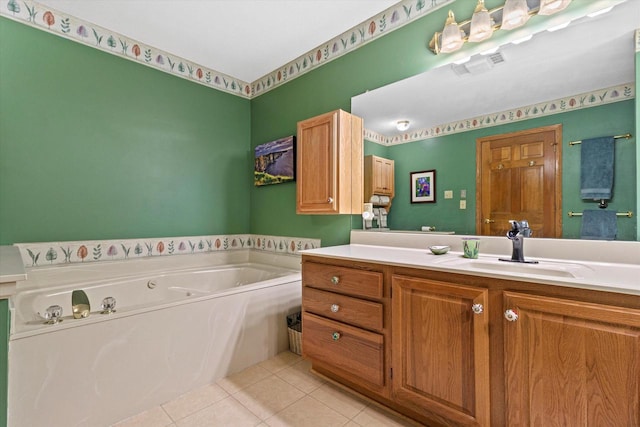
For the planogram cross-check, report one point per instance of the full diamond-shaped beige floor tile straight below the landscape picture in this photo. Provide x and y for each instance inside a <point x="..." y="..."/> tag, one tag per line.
<point x="268" y="396"/>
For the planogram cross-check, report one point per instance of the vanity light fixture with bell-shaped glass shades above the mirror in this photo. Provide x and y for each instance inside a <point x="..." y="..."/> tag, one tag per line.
<point x="483" y="22"/>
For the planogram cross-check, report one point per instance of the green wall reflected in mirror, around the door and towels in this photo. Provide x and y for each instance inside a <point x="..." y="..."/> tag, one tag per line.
<point x="453" y="158"/>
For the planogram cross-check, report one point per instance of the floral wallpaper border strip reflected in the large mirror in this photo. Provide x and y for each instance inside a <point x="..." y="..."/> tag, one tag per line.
<point x="569" y="103"/>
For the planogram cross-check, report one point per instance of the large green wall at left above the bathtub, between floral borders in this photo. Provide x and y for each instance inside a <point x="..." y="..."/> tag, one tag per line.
<point x="96" y="147"/>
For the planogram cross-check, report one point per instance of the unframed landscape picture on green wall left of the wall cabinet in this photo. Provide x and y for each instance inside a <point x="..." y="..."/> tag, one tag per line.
<point x="274" y="162"/>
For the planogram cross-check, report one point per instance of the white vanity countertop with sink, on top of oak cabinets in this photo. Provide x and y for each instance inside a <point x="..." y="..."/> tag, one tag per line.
<point x="602" y="276"/>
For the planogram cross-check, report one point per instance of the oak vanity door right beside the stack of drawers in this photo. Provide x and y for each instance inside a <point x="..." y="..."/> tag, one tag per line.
<point x="440" y="353"/>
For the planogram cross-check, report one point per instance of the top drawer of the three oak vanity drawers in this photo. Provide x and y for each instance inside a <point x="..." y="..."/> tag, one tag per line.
<point x="345" y="280"/>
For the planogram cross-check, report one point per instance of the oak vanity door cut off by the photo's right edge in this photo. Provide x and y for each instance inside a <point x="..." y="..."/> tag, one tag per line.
<point x="571" y="363"/>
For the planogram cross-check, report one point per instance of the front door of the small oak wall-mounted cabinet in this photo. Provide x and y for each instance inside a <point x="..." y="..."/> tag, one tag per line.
<point x="316" y="164"/>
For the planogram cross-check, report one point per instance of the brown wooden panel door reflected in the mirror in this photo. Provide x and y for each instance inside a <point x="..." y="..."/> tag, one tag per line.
<point x="519" y="177"/>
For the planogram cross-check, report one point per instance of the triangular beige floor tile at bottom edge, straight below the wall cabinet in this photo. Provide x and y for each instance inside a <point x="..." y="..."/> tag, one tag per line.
<point x="307" y="412"/>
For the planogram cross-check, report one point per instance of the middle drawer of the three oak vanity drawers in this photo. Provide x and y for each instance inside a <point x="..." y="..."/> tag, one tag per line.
<point x="342" y="308"/>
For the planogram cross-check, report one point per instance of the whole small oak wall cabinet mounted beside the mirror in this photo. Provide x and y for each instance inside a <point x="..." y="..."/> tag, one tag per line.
<point x="330" y="164"/>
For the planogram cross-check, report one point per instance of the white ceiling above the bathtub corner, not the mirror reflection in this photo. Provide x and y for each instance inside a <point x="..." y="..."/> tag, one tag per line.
<point x="246" y="39"/>
